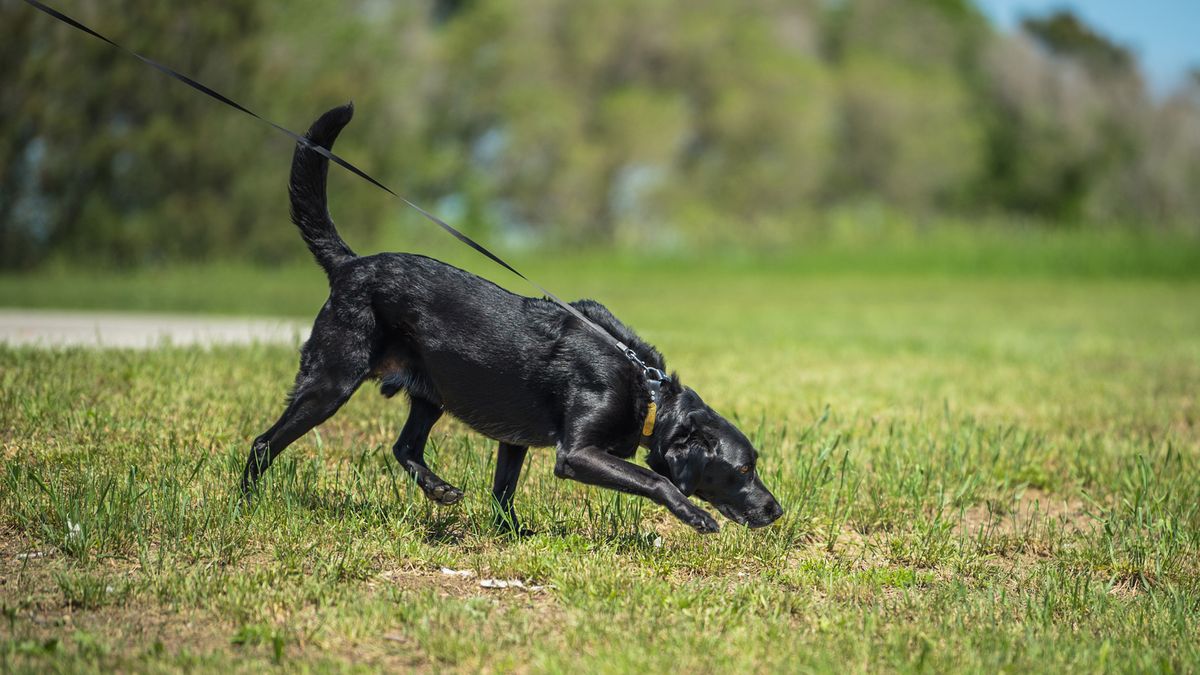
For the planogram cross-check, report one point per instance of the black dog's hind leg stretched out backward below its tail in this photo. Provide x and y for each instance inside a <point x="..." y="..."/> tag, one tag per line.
<point x="333" y="365"/>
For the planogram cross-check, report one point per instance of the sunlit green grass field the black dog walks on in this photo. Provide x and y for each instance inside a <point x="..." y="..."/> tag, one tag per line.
<point x="982" y="471"/>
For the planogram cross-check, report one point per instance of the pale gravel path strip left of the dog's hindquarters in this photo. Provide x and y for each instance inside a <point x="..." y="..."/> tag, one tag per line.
<point x="140" y="331"/>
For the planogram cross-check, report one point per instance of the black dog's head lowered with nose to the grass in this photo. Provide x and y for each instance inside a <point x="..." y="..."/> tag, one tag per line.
<point x="705" y="456"/>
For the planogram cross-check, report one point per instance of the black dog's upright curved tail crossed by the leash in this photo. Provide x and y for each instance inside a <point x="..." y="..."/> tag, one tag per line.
<point x="310" y="207"/>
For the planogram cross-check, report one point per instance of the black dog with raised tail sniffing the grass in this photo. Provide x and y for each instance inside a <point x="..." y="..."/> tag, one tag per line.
<point x="519" y="371"/>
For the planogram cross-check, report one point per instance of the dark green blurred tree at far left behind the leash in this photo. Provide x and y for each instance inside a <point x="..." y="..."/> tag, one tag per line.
<point x="101" y="145"/>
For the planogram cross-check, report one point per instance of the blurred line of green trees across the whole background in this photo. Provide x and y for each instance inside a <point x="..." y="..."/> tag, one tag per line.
<point x="575" y="123"/>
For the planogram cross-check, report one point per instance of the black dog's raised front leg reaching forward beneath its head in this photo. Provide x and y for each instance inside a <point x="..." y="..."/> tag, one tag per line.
<point x="597" y="468"/>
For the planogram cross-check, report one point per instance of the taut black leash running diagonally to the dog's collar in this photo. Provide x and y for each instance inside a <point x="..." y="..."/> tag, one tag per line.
<point x="655" y="377"/>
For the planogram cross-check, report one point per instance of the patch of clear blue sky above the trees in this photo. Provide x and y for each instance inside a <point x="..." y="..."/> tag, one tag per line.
<point x="1165" y="34"/>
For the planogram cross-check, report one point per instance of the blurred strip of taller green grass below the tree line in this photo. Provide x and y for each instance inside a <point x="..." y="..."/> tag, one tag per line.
<point x="896" y="250"/>
